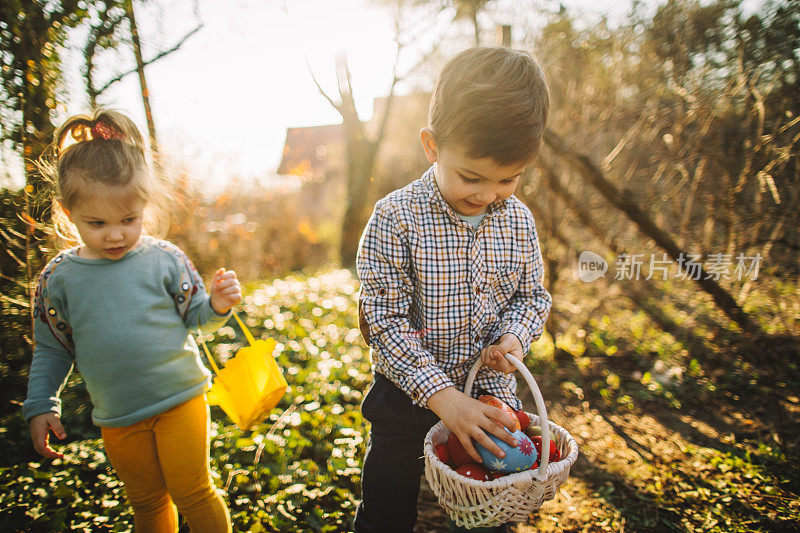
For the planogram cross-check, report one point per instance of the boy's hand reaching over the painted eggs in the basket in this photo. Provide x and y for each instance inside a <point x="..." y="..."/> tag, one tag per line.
<point x="468" y="418"/>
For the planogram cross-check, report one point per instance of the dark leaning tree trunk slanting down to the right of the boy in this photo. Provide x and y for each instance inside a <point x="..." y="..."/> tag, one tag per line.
<point x="622" y="201"/>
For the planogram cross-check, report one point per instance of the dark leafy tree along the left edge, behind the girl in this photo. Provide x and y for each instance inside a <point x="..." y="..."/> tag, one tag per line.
<point x="31" y="33"/>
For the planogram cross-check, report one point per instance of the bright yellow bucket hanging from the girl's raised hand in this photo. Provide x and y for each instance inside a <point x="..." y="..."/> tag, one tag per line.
<point x="251" y="384"/>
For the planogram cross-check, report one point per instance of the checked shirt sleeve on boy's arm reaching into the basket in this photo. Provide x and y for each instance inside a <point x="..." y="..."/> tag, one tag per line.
<point x="385" y="299"/>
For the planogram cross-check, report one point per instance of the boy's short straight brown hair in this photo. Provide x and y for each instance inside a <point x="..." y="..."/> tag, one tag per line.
<point x="491" y="102"/>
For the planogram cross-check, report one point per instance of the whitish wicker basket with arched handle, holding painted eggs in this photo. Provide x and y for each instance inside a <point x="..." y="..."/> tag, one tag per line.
<point x="471" y="503"/>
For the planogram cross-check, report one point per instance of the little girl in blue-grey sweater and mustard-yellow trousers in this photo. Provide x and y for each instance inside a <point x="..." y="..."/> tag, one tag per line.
<point x="120" y="307"/>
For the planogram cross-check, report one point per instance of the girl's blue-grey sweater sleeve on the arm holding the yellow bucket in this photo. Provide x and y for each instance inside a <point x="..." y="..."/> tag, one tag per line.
<point x="191" y="299"/>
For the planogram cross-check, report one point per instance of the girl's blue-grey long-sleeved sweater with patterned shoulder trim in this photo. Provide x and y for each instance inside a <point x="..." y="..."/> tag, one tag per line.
<point x="125" y="324"/>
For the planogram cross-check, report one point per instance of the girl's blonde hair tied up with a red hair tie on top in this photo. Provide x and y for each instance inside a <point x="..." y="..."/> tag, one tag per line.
<point x="103" y="149"/>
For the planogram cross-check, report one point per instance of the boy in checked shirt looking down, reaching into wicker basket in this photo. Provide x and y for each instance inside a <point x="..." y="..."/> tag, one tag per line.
<point x="450" y="268"/>
